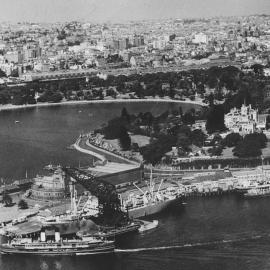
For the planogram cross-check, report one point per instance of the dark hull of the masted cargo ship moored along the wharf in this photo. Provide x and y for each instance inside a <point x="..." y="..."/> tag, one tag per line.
<point x="151" y="209"/>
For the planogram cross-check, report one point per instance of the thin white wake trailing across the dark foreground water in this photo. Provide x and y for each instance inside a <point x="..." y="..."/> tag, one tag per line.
<point x="202" y="244"/>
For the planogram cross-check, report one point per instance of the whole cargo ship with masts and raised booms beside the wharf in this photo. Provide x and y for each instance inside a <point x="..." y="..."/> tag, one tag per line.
<point x="149" y="202"/>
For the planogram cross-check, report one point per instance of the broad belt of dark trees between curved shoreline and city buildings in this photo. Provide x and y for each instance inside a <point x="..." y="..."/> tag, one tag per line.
<point x="239" y="87"/>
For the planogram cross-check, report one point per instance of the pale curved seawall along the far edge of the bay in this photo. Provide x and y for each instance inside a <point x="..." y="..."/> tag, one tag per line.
<point x="9" y="107"/>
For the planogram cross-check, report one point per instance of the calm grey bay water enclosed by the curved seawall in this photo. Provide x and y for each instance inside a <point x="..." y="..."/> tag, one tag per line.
<point x="34" y="137"/>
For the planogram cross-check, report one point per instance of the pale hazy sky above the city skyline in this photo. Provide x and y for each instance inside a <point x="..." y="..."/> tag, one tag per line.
<point x="124" y="10"/>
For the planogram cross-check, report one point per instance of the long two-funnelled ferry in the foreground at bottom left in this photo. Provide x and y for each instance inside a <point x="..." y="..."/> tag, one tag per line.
<point x="58" y="246"/>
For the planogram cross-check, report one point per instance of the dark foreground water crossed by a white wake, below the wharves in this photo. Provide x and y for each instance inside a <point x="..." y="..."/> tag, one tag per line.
<point x="210" y="233"/>
